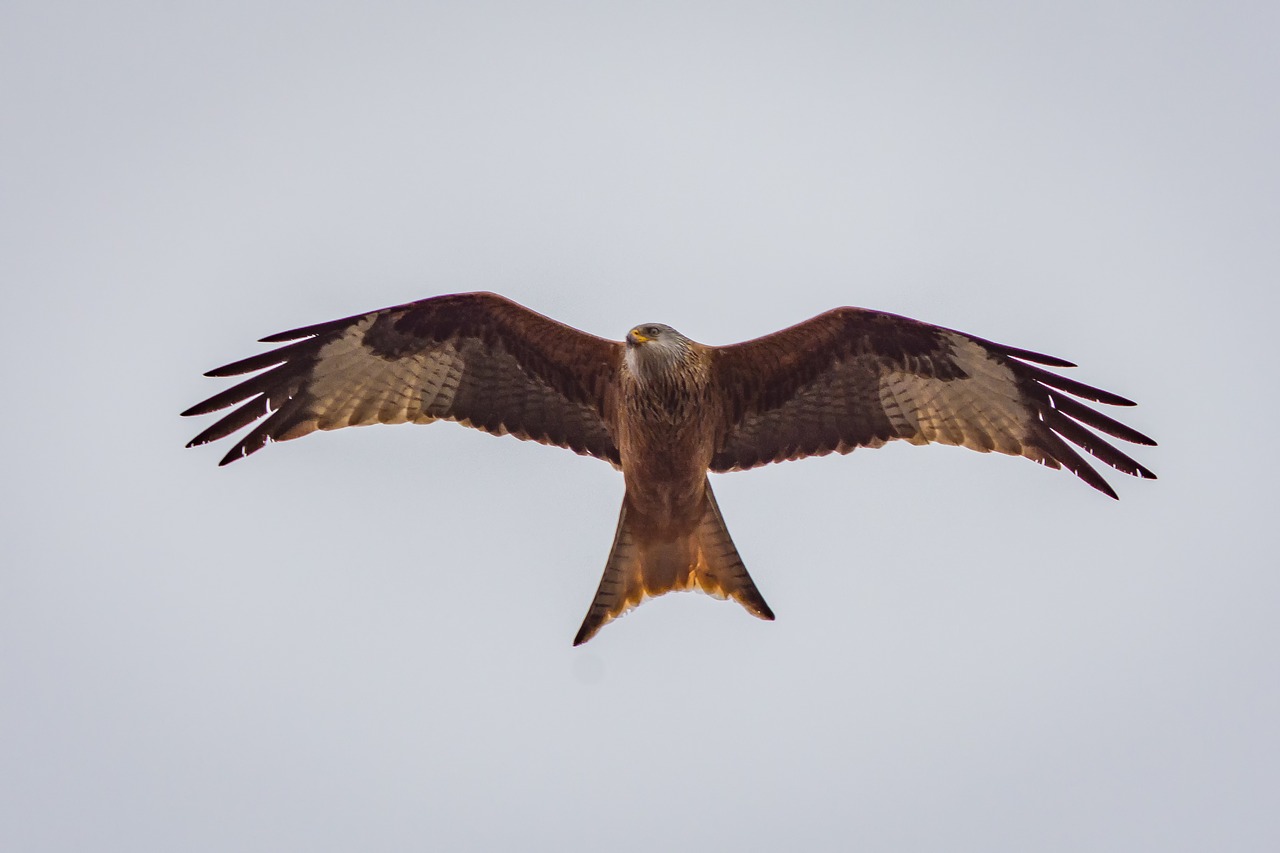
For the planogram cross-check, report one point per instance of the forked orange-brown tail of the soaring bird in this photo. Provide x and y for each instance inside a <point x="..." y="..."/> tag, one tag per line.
<point x="705" y="560"/>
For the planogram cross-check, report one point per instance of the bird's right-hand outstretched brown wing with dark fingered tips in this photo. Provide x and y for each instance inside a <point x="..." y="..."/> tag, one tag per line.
<point x="856" y="378"/>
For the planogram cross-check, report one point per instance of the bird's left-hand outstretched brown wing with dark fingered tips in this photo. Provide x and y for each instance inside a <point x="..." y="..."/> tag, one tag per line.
<point x="477" y="359"/>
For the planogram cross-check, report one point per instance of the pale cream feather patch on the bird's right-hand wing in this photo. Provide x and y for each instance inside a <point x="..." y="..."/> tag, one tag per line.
<point x="984" y="412"/>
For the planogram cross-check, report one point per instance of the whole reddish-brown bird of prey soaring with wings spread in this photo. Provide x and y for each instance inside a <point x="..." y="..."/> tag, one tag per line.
<point x="666" y="410"/>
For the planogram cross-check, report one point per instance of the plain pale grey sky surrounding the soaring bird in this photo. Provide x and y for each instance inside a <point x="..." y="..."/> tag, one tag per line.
<point x="362" y="641"/>
